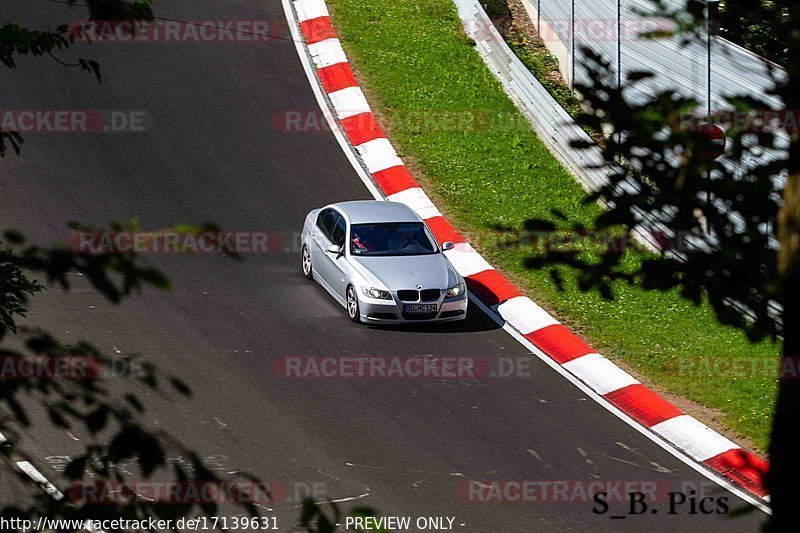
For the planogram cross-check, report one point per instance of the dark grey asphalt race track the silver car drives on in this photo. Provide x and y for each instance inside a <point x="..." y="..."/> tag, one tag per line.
<point x="212" y="153"/>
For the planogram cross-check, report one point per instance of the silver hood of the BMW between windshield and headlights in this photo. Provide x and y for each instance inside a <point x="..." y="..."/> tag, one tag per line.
<point x="406" y="272"/>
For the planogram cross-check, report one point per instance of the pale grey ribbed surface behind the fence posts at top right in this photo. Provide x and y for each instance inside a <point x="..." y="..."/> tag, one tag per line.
<point x="612" y="28"/>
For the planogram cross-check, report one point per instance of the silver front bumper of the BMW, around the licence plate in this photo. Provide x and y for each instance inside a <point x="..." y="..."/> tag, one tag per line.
<point x="391" y="311"/>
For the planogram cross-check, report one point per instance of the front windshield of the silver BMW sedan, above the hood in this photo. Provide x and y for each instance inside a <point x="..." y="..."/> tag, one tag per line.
<point x="406" y="238"/>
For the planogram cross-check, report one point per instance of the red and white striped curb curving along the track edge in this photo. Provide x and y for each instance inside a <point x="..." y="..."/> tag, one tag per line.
<point x="355" y="119"/>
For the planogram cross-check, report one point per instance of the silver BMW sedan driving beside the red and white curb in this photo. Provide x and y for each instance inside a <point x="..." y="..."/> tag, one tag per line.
<point x="381" y="262"/>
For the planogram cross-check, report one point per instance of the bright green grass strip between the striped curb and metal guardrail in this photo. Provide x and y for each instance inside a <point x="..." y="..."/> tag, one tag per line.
<point x="414" y="57"/>
